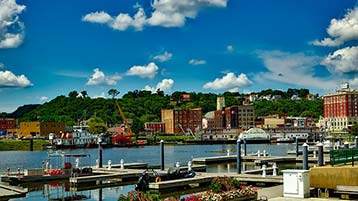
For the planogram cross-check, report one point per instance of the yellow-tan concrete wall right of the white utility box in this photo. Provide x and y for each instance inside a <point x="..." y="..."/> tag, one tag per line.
<point x="330" y="177"/>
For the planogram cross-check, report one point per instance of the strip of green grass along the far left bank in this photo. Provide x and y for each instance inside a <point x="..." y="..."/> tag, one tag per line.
<point x="10" y="144"/>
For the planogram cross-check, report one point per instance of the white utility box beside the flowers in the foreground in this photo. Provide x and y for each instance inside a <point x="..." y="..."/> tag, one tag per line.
<point x="296" y="183"/>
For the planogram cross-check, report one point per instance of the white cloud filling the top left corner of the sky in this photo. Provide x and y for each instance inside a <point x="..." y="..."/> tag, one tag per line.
<point x="11" y="28"/>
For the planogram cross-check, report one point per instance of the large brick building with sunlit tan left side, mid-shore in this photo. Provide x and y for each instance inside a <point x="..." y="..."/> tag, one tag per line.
<point x="181" y="121"/>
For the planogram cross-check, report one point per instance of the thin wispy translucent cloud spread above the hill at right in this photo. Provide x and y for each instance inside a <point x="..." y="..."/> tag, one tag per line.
<point x="292" y="68"/>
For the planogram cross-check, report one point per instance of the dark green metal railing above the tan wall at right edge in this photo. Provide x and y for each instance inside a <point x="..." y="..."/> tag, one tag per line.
<point x="343" y="156"/>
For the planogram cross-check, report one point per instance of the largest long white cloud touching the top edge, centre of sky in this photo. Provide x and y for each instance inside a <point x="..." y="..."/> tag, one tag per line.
<point x="166" y="13"/>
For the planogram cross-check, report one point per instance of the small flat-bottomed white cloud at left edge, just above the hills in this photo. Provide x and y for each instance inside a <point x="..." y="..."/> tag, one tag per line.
<point x="10" y="80"/>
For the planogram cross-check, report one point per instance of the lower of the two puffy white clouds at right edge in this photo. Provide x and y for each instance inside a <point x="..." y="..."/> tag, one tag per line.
<point x="344" y="60"/>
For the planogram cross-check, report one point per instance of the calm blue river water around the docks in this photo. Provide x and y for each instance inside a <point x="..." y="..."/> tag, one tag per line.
<point x="146" y="154"/>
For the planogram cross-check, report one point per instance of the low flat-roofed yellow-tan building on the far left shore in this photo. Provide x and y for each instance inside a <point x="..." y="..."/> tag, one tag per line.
<point x="37" y="128"/>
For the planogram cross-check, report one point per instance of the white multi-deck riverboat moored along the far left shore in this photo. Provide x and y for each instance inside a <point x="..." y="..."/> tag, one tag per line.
<point x="78" y="138"/>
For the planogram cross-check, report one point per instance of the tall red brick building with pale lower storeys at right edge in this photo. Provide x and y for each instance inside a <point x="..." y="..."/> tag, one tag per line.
<point x="341" y="109"/>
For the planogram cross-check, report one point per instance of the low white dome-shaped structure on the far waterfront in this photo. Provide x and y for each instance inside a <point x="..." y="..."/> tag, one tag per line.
<point x="255" y="135"/>
